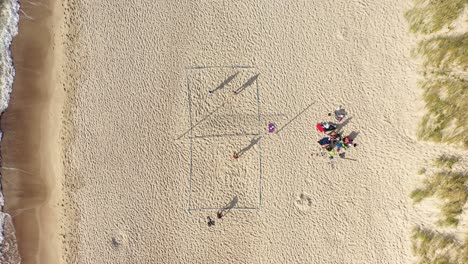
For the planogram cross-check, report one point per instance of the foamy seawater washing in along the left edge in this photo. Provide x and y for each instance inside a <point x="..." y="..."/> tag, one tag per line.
<point x="9" y="18"/>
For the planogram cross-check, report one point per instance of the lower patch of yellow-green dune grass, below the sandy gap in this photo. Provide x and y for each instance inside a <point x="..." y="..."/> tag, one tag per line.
<point x="450" y="187"/>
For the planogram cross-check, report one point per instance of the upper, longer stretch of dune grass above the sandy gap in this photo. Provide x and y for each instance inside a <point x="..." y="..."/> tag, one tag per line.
<point x="443" y="53"/>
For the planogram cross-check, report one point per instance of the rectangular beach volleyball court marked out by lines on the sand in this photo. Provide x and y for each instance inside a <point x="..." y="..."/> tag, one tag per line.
<point x="224" y="118"/>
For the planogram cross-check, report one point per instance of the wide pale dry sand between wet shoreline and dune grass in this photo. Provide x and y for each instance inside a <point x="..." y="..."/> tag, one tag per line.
<point x="144" y="181"/>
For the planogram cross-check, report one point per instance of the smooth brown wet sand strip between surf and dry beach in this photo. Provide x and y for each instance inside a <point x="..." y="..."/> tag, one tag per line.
<point x="31" y="125"/>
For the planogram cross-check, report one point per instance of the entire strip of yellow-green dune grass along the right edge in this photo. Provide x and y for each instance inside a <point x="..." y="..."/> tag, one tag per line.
<point x="443" y="54"/>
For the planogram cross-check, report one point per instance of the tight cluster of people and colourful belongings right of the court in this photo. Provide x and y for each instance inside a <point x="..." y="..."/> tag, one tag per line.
<point x="333" y="142"/>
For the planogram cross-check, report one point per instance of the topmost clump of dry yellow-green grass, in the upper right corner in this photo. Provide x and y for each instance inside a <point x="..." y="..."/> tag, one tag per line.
<point x="429" y="16"/>
